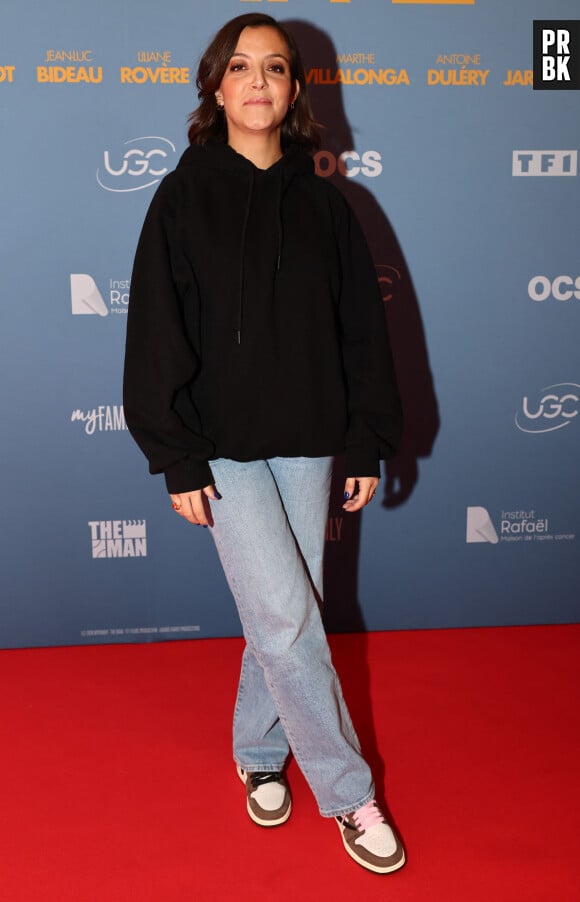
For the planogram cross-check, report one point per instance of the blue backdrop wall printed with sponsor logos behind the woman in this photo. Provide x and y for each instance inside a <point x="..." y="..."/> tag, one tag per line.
<point x="465" y="180"/>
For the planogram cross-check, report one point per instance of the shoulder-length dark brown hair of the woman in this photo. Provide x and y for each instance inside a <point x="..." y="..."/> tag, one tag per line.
<point x="299" y="126"/>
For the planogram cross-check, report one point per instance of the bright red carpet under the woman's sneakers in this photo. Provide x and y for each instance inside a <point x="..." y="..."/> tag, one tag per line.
<point x="111" y="755"/>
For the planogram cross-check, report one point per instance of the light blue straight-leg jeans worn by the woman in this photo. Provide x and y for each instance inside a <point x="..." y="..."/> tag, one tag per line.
<point x="269" y="531"/>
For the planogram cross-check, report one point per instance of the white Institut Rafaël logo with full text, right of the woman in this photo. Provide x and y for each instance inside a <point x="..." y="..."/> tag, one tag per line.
<point x="512" y="526"/>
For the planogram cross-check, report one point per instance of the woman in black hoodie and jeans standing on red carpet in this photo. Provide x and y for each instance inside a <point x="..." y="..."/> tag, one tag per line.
<point x="257" y="350"/>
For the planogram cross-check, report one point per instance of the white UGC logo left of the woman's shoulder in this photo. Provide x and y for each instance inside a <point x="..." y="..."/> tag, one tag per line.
<point x="143" y="164"/>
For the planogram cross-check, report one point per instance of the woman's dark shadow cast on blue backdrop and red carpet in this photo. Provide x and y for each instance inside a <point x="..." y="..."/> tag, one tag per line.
<point x="342" y="611"/>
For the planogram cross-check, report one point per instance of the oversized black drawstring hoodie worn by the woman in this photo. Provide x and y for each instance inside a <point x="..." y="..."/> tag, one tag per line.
<point x="255" y="328"/>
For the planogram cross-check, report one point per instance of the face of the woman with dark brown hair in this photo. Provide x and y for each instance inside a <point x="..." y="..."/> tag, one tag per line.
<point x="257" y="88"/>
